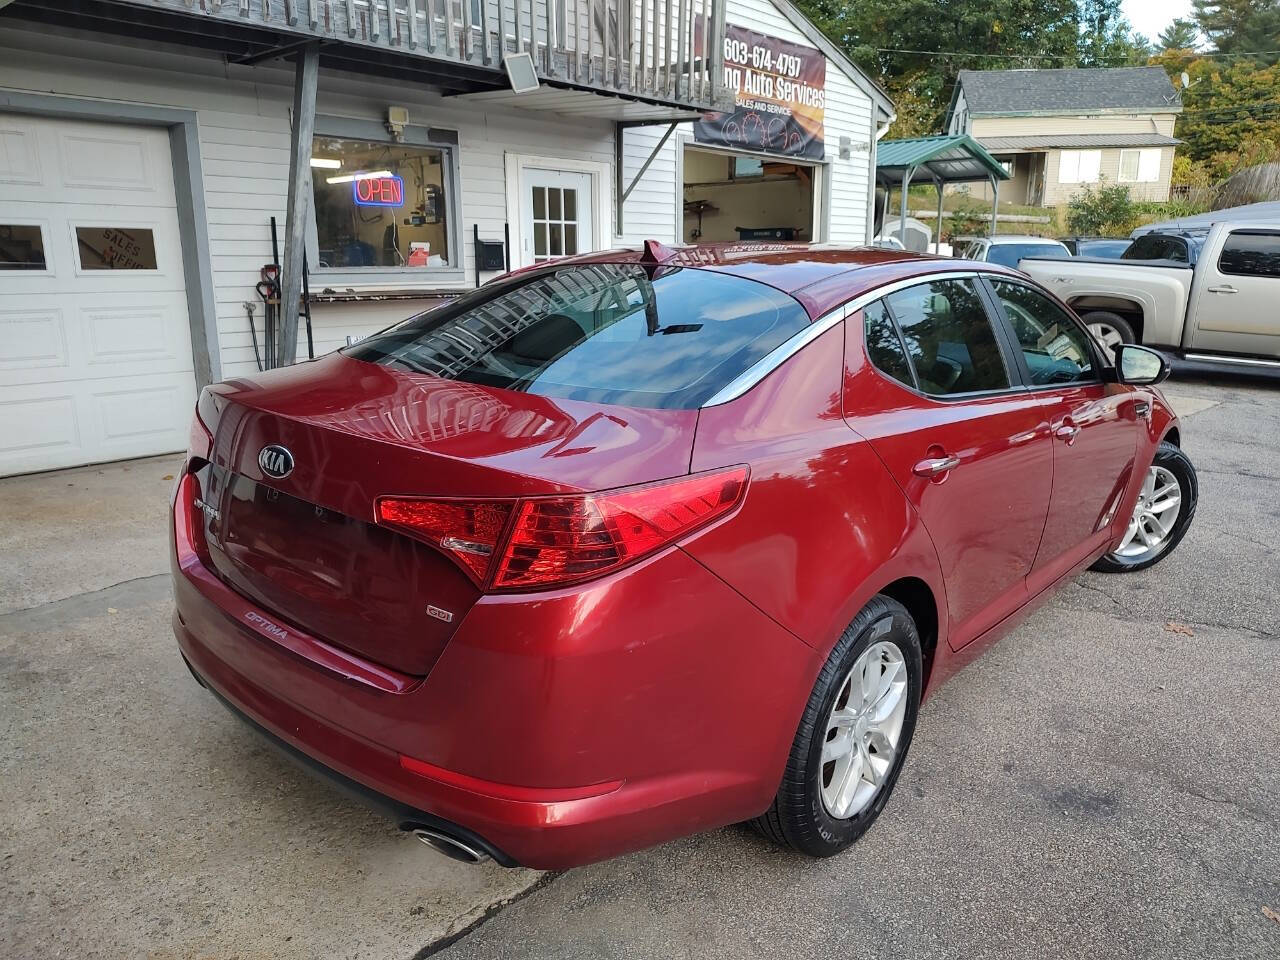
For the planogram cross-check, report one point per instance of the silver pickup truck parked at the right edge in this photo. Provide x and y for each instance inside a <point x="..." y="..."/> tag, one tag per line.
<point x="1217" y="303"/>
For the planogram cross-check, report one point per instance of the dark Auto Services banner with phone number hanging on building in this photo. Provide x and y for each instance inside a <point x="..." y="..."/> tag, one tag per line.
<point x="780" y="97"/>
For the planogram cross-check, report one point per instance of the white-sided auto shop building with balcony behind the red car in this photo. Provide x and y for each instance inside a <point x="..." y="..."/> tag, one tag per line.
<point x="141" y="163"/>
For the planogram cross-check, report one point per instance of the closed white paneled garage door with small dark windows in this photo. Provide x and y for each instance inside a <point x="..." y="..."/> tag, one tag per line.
<point x="95" y="349"/>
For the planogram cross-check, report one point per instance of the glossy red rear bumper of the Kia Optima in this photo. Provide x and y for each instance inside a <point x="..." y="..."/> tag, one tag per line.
<point x="555" y="730"/>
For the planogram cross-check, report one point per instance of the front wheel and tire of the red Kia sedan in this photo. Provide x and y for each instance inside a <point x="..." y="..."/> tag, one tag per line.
<point x="1165" y="509"/>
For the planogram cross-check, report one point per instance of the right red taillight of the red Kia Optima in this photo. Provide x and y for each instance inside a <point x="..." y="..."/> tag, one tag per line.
<point x="555" y="541"/>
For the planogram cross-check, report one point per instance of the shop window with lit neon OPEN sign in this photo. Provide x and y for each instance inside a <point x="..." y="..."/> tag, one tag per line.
<point x="381" y="205"/>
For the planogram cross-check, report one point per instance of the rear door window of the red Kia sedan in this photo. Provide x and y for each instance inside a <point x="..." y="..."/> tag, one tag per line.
<point x="949" y="339"/>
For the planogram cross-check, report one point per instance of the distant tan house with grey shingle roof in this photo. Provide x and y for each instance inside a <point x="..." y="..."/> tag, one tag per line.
<point x="1060" y="131"/>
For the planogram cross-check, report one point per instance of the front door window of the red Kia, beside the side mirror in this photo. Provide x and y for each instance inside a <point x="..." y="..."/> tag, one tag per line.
<point x="1055" y="348"/>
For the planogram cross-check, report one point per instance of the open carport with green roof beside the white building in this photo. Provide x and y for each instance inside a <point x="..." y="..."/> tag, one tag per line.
<point x="947" y="159"/>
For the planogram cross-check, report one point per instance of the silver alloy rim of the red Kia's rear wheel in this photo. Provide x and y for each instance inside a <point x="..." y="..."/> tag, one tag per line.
<point x="865" y="730"/>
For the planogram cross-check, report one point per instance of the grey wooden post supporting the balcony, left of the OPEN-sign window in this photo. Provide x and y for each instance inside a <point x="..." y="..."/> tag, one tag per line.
<point x="300" y="202"/>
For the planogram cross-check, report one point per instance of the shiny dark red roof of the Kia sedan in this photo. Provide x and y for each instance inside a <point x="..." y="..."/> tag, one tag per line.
<point x="820" y="276"/>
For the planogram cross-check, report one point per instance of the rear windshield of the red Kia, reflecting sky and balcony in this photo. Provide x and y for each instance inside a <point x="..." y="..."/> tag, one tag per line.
<point x="607" y="333"/>
